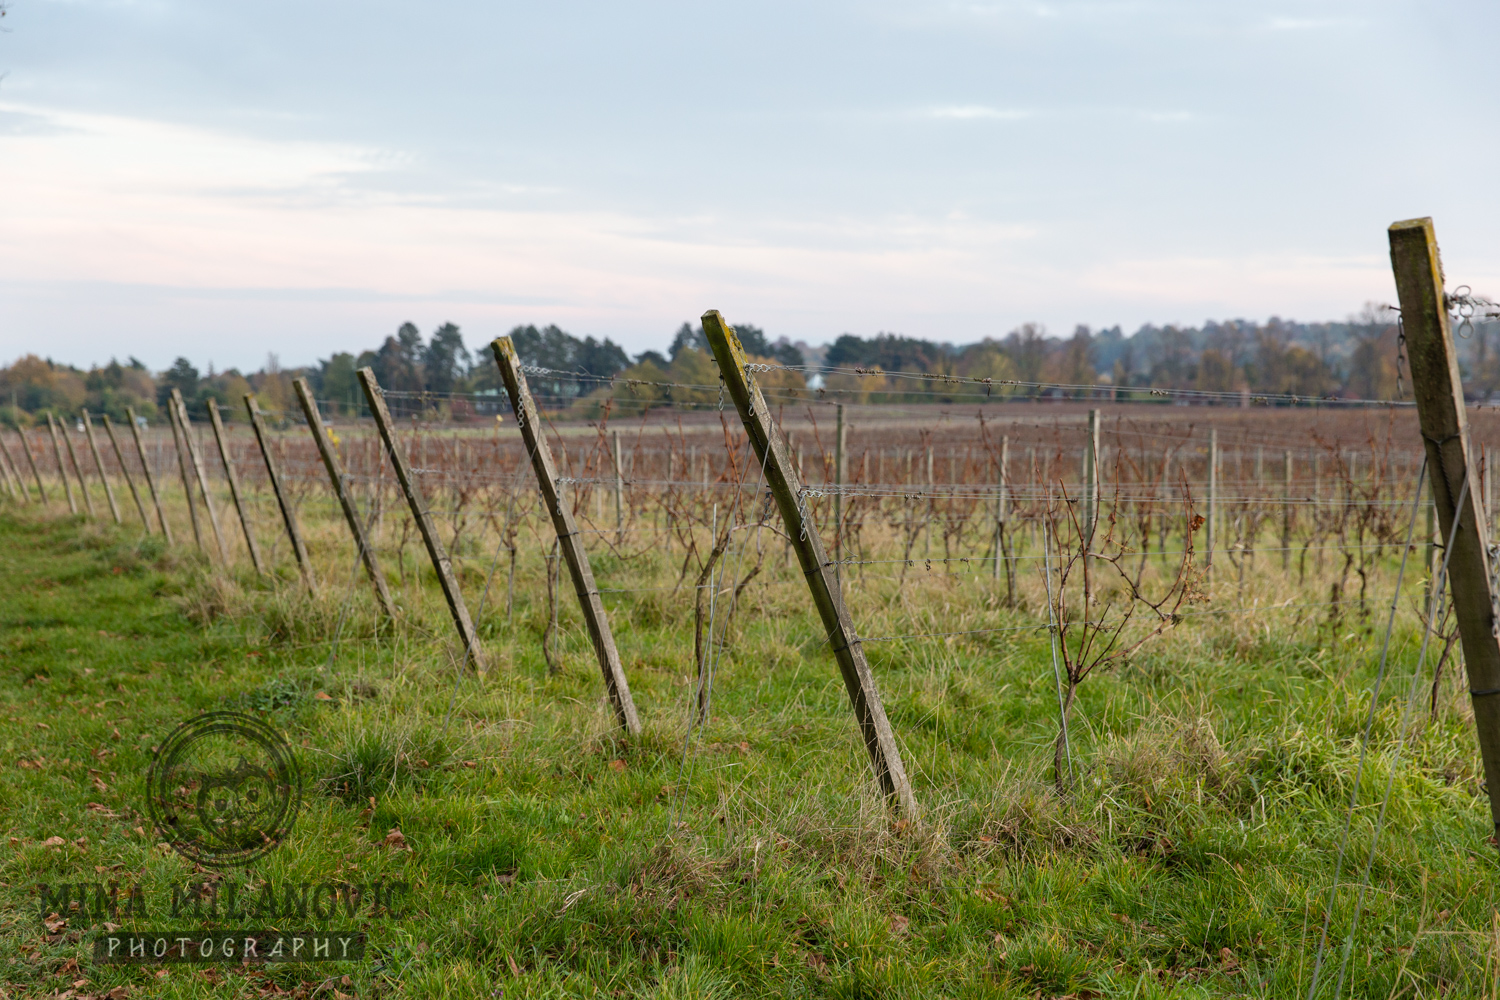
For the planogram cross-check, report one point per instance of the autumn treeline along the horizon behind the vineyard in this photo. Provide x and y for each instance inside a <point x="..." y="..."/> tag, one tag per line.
<point x="1355" y="359"/>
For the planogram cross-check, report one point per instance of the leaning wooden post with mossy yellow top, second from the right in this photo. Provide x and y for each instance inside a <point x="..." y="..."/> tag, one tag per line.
<point x="770" y="449"/>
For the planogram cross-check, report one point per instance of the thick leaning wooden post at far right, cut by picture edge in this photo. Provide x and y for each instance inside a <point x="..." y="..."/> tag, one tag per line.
<point x="1445" y="434"/>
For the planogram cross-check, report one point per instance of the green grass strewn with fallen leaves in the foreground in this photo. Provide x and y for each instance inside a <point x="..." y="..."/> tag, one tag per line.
<point x="553" y="858"/>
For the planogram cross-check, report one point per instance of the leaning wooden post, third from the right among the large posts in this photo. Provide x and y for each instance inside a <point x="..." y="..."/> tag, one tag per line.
<point x="616" y="683"/>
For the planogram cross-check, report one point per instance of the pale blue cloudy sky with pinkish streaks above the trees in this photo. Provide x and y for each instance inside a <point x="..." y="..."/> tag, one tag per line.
<point x="230" y="181"/>
